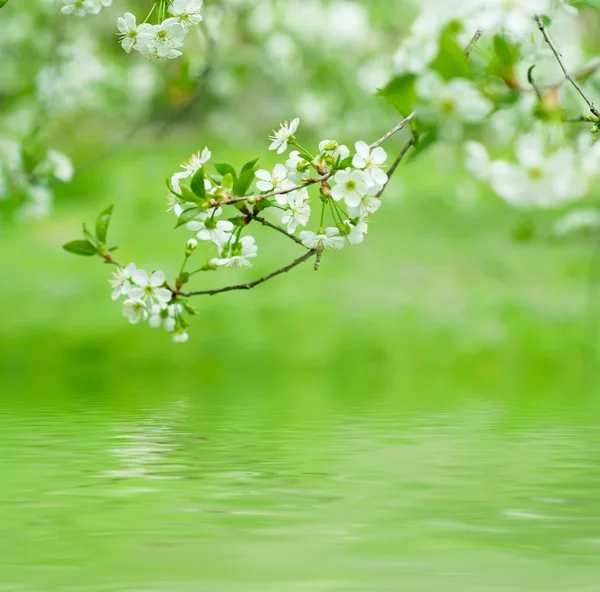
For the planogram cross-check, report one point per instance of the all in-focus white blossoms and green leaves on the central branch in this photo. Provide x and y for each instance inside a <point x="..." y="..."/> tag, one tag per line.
<point x="350" y="185"/>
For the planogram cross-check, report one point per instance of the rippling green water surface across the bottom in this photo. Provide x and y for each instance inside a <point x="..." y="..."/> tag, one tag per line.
<point x="477" y="498"/>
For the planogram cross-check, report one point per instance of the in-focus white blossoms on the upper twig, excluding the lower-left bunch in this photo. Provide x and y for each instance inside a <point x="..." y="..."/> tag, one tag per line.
<point x="349" y="189"/>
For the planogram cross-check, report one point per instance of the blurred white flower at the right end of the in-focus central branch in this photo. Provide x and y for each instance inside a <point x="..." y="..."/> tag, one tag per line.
<point x="450" y="102"/>
